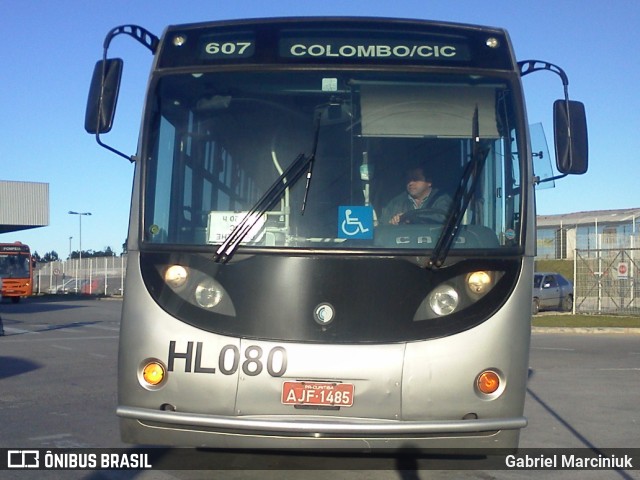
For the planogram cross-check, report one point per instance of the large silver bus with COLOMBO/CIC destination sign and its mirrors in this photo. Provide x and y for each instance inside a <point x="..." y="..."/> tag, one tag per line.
<point x="268" y="301"/>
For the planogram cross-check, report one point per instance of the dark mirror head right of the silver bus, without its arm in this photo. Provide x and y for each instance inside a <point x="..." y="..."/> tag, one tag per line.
<point x="570" y="128"/>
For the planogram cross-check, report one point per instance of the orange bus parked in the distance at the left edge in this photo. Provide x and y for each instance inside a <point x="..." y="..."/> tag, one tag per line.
<point x="16" y="271"/>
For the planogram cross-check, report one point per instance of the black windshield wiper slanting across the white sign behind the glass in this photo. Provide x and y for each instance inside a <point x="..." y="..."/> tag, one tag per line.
<point x="289" y="177"/>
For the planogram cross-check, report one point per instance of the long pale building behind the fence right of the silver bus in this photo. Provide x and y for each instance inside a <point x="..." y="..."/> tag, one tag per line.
<point x="560" y="235"/>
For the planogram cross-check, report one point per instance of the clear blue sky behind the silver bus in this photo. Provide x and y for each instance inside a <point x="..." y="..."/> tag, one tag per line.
<point x="50" y="47"/>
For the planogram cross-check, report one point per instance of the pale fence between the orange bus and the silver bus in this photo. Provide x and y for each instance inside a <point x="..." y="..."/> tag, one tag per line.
<point x="90" y="276"/>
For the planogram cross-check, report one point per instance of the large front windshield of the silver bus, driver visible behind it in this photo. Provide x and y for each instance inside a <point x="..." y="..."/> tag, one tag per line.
<point x="325" y="160"/>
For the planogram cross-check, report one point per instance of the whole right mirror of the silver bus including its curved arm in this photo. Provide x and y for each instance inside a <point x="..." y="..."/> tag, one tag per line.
<point x="569" y="122"/>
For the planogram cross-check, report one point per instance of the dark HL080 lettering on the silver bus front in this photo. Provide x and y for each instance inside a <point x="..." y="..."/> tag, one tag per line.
<point x="253" y="361"/>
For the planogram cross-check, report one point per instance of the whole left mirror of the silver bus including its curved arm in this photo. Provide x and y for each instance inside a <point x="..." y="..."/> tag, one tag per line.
<point x="105" y="85"/>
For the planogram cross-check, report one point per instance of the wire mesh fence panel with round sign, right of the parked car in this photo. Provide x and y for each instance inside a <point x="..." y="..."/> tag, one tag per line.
<point x="606" y="281"/>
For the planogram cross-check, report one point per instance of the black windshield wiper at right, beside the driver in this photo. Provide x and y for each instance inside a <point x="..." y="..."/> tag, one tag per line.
<point x="464" y="192"/>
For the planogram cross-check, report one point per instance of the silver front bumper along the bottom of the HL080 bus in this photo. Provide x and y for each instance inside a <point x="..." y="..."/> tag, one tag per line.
<point x="188" y="429"/>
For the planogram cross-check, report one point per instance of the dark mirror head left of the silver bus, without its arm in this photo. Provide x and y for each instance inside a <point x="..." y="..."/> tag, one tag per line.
<point x="103" y="96"/>
